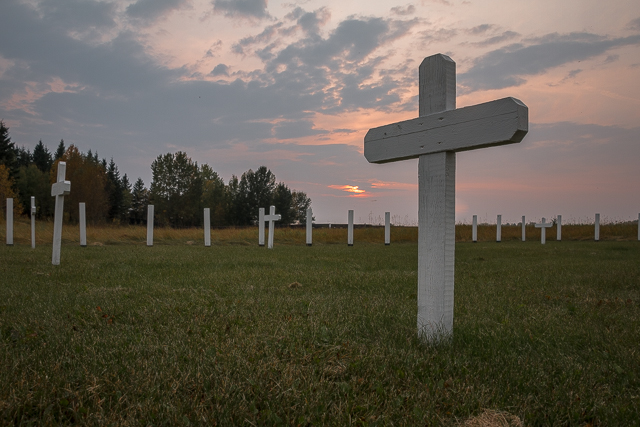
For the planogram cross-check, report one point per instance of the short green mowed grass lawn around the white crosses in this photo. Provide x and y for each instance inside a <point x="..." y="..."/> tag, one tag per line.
<point x="235" y="334"/>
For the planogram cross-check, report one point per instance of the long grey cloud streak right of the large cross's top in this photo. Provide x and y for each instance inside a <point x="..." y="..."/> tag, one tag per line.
<point x="510" y="65"/>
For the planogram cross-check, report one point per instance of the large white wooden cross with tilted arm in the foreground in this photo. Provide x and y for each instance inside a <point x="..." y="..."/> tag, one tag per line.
<point x="434" y="138"/>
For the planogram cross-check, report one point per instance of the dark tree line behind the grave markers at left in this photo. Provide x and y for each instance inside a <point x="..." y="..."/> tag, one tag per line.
<point x="180" y="189"/>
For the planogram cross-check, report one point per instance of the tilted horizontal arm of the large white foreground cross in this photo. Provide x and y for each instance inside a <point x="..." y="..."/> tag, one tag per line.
<point x="504" y="121"/>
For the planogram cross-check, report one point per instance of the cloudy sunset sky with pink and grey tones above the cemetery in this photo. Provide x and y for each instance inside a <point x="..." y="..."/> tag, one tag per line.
<point x="295" y="86"/>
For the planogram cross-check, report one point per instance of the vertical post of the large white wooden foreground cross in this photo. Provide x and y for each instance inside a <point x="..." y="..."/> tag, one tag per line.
<point x="436" y="206"/>
